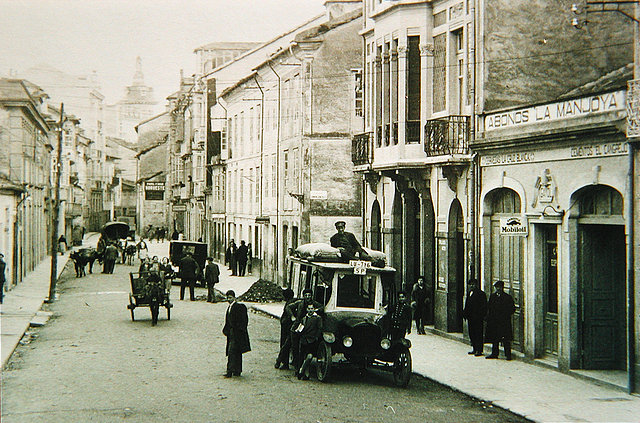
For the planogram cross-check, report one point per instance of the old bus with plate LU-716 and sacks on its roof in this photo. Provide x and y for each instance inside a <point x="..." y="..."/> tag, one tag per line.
<point x="356" y="326"/>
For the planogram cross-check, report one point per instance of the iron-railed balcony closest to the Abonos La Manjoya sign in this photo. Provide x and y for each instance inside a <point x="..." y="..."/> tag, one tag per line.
<point x="445" y="136"/>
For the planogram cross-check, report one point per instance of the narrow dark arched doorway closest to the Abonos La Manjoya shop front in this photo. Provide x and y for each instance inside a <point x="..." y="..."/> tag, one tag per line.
<point x="456" y="267"/>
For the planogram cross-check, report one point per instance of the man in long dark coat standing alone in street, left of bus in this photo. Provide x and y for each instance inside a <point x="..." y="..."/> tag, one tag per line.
<point x="235" y="329"/>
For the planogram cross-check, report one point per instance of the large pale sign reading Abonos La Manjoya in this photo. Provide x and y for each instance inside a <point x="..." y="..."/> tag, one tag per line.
<point x="556" y="111"/>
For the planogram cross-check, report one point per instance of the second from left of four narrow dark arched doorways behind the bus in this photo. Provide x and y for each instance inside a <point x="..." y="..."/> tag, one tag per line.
<point x="411" y="233"/>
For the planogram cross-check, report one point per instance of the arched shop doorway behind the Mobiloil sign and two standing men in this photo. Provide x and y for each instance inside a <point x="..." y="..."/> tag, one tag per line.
<point x="506" y="260"/>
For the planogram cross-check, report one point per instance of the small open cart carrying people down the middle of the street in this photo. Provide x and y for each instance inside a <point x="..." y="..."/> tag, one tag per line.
<point x="149" y="289"/>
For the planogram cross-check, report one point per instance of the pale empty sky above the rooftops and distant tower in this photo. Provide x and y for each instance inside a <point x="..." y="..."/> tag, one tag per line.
<point x="80" y="36"/>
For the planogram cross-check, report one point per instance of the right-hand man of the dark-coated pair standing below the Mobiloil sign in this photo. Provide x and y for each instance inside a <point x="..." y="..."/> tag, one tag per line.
<point x="499" y="327"/>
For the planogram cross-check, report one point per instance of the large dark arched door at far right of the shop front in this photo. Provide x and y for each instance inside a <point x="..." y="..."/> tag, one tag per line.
<point x="601" y="278"/>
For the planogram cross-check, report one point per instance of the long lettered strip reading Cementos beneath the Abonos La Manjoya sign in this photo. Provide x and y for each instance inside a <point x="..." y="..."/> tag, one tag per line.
<point x="566" y="153"/>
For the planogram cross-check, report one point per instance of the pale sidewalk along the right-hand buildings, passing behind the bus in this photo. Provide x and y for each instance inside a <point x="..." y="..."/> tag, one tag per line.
<point x="530" y="391"/>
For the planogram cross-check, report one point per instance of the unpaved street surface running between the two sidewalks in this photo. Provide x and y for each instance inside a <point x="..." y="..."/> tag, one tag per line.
<point x="90" y="362"/>
